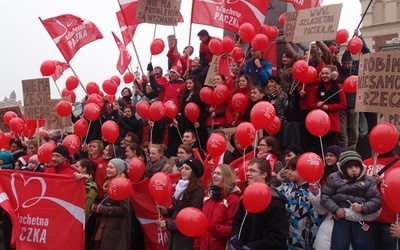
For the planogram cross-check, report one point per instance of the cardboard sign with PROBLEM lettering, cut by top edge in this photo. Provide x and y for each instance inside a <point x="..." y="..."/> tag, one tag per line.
<point x="164" y="12"/>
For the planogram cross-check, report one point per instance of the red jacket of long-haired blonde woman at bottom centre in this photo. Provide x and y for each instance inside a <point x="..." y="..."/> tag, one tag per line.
<point x="219" y="213"/>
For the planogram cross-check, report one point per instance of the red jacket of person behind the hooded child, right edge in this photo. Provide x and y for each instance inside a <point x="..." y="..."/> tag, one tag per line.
<point x="387" y="215"/>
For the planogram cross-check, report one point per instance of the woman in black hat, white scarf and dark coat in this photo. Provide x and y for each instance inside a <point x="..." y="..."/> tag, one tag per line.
<point x="188" y="193"/>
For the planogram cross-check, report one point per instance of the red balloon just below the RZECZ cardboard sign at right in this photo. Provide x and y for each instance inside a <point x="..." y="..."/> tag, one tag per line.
<point x="383" y="137"/>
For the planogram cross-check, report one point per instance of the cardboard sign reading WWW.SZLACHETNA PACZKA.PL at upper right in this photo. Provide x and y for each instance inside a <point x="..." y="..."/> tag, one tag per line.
<point x="317" y="24"/>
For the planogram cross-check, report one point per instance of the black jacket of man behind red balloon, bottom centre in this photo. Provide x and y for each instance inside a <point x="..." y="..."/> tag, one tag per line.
<point x="265" y="230"/>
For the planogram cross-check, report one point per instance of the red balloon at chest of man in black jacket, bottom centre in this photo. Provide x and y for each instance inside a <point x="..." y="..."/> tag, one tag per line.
<point x="256" y="197"/>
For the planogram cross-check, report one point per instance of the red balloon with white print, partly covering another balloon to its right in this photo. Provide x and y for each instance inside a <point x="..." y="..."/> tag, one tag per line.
<point x="262" y="114"/>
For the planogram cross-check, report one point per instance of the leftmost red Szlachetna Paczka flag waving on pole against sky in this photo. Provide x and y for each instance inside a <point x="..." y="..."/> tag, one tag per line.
<point x="70" y="33"/>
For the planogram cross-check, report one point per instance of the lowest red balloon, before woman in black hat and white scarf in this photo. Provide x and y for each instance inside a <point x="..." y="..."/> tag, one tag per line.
<point x="191" y="222"/>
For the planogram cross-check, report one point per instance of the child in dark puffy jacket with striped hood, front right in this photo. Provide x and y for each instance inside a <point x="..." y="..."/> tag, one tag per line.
<point x="350" y="187"/>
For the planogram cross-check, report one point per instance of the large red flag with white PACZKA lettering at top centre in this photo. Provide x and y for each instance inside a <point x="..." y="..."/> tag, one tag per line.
<point x="230" y="14"/>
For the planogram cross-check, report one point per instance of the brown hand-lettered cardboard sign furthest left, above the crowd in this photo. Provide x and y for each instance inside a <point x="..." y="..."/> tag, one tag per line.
<point x="36" y="98"/>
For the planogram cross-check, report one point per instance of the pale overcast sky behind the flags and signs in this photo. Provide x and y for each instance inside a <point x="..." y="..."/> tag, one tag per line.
<point x="25" y="43"/>
